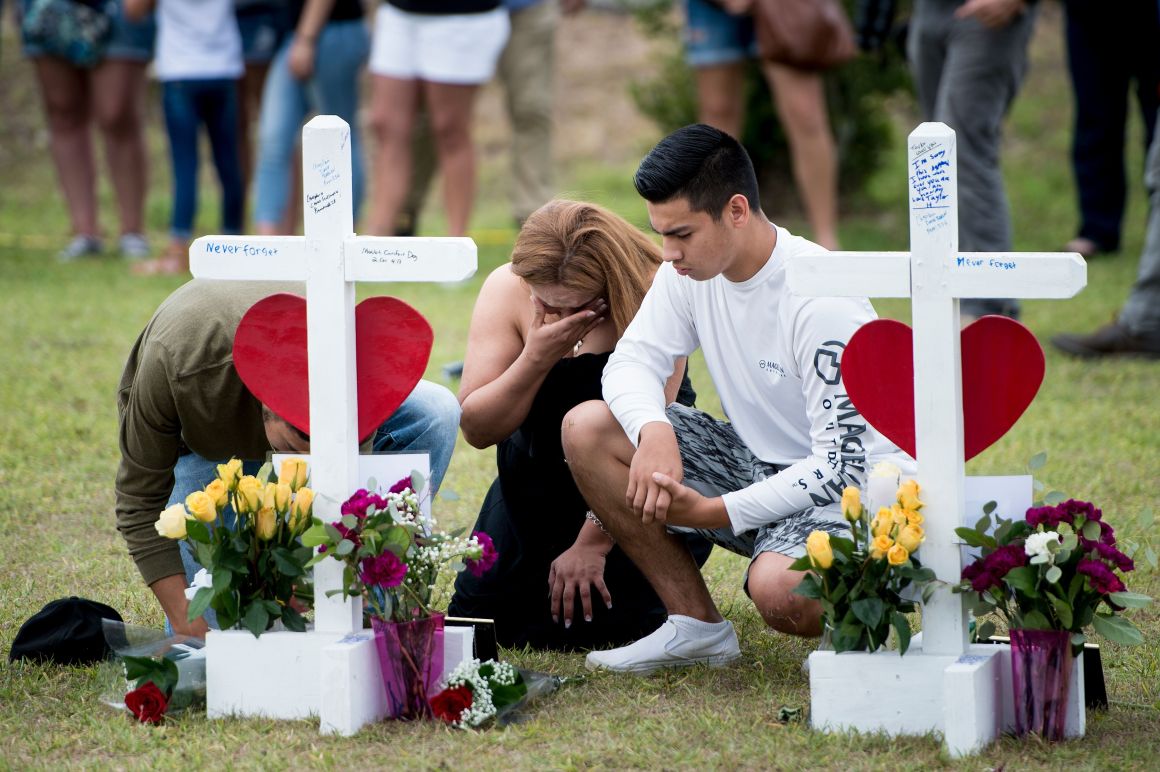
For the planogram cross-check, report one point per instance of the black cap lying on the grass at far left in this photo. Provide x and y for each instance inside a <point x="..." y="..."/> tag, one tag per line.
<point x="67" y="631"/>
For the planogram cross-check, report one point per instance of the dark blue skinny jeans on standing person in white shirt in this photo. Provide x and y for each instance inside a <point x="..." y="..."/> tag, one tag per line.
<point x="188" y="105"/>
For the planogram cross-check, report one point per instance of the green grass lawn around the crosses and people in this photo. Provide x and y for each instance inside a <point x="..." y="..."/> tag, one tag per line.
<point x="67" y="331"/>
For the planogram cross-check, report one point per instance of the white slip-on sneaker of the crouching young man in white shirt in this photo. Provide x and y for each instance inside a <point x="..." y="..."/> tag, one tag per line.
<point x="679" y="643"/>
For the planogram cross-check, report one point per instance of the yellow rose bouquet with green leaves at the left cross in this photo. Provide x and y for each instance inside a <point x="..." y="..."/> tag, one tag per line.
<point x="245" y="530"/>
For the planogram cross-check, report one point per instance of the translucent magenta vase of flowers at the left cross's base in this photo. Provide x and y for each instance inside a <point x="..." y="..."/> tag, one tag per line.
<point x="411" y="658"/>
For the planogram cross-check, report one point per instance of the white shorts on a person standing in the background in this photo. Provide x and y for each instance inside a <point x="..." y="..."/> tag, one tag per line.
<point x="461" y="49"/>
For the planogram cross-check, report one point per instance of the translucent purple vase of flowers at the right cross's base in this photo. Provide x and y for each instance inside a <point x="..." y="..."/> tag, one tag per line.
<point x="1041" y="679"/>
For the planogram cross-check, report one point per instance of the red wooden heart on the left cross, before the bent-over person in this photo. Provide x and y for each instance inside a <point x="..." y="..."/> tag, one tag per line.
<point x="393" y="346"/>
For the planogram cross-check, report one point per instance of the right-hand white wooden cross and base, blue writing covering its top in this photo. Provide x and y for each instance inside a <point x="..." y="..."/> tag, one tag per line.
<point x="907" y="695"/>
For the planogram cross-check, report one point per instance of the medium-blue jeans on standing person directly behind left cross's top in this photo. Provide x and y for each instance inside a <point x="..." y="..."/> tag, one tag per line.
<point x="333" y="90"/>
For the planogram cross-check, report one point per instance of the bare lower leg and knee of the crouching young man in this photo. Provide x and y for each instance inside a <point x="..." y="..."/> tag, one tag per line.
<point x="599" y="455"/>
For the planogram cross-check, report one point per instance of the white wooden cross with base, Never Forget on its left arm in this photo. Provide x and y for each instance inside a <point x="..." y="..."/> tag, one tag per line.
<point x="331" y="673"/>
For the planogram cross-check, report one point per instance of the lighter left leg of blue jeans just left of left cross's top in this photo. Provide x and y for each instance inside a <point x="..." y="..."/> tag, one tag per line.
<point x="284" y="108"/>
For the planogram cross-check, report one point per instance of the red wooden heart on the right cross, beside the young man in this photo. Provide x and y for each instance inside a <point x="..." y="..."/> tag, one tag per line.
<point x="1003" y="370"/>
